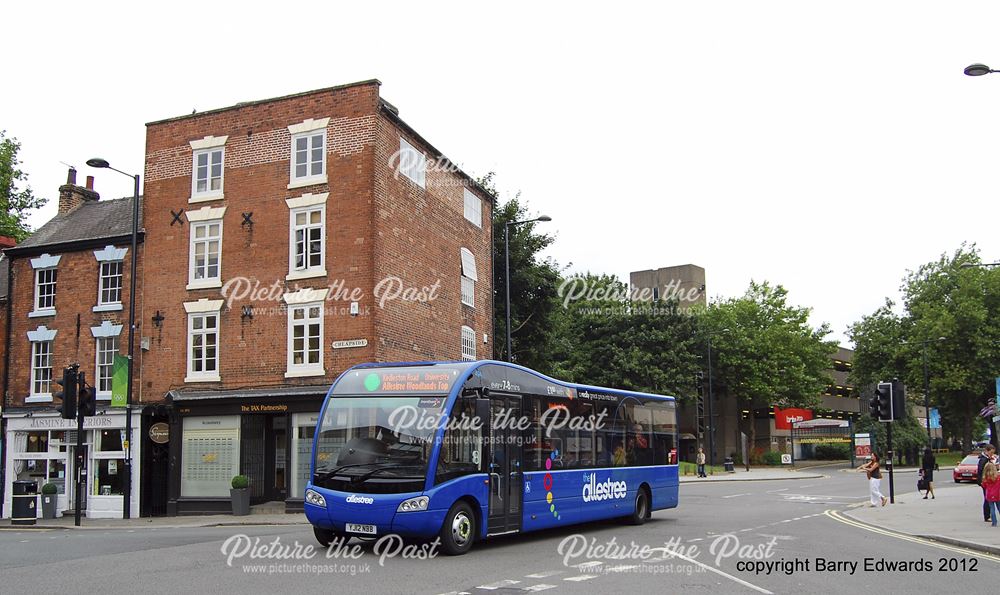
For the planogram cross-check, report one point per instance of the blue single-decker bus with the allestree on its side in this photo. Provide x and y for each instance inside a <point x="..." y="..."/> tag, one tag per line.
<point x="468" y="450"/>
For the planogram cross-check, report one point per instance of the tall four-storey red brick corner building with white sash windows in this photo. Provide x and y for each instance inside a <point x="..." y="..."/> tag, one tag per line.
<point x="291" y="238"/>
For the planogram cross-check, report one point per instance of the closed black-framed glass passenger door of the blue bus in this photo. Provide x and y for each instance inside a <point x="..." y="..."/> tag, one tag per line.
<point x="504" y="465"/>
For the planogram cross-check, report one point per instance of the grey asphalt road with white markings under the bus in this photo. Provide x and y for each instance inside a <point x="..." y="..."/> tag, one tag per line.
<point x="718" y="529"/>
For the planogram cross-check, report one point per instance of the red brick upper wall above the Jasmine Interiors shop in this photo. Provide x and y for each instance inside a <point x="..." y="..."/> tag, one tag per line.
<point x="76" y="295"/>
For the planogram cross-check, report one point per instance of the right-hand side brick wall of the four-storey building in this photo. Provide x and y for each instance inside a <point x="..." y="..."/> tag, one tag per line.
<point x="419" y="234"/>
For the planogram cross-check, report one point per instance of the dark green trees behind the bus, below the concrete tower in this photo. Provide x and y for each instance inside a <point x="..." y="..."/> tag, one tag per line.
<point x="603" y="338"/>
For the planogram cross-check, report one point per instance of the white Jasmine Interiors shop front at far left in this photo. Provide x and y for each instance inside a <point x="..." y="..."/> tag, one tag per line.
<point x="41" y="447"/>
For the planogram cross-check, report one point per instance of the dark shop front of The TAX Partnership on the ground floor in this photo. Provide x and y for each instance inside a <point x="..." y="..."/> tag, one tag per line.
<point x="265" y="434"/>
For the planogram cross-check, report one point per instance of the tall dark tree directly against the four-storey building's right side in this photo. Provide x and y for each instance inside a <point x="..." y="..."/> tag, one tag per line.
<point x="533" y="284"/>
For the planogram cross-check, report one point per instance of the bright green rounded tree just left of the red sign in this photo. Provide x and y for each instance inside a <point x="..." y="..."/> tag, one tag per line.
<point x="767" y="354"/>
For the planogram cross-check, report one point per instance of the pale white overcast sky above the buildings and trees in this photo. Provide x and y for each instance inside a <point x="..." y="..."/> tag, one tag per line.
<point x="825" y="146"/>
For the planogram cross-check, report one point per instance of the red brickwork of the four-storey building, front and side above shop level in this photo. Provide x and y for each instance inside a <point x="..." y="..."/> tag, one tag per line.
<point x="373" y="230"/>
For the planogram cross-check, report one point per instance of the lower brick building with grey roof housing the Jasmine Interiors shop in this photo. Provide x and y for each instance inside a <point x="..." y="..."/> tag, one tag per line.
<point x="67" y="287"/>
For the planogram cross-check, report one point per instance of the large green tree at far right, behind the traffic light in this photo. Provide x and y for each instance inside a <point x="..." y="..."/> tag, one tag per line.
<point x="950" y="298"/>
